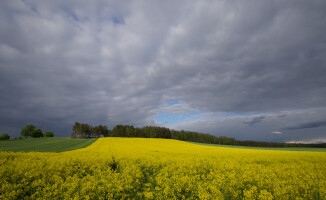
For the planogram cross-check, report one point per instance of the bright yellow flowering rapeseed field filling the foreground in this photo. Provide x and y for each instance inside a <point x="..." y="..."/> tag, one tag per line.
<point x="138" y="168"/>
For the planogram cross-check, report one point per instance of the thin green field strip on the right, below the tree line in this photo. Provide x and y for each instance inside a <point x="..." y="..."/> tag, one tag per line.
<point x="267" y="148"/>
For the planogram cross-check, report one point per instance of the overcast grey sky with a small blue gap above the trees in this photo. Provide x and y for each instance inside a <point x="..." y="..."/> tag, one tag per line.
<point x="251" y="70"/>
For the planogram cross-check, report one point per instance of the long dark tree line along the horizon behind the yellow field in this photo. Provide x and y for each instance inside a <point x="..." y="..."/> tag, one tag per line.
<point x="82" y="130"/>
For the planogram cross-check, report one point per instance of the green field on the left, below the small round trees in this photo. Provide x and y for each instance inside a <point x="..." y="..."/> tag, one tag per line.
<point x="55" y="144"/>
